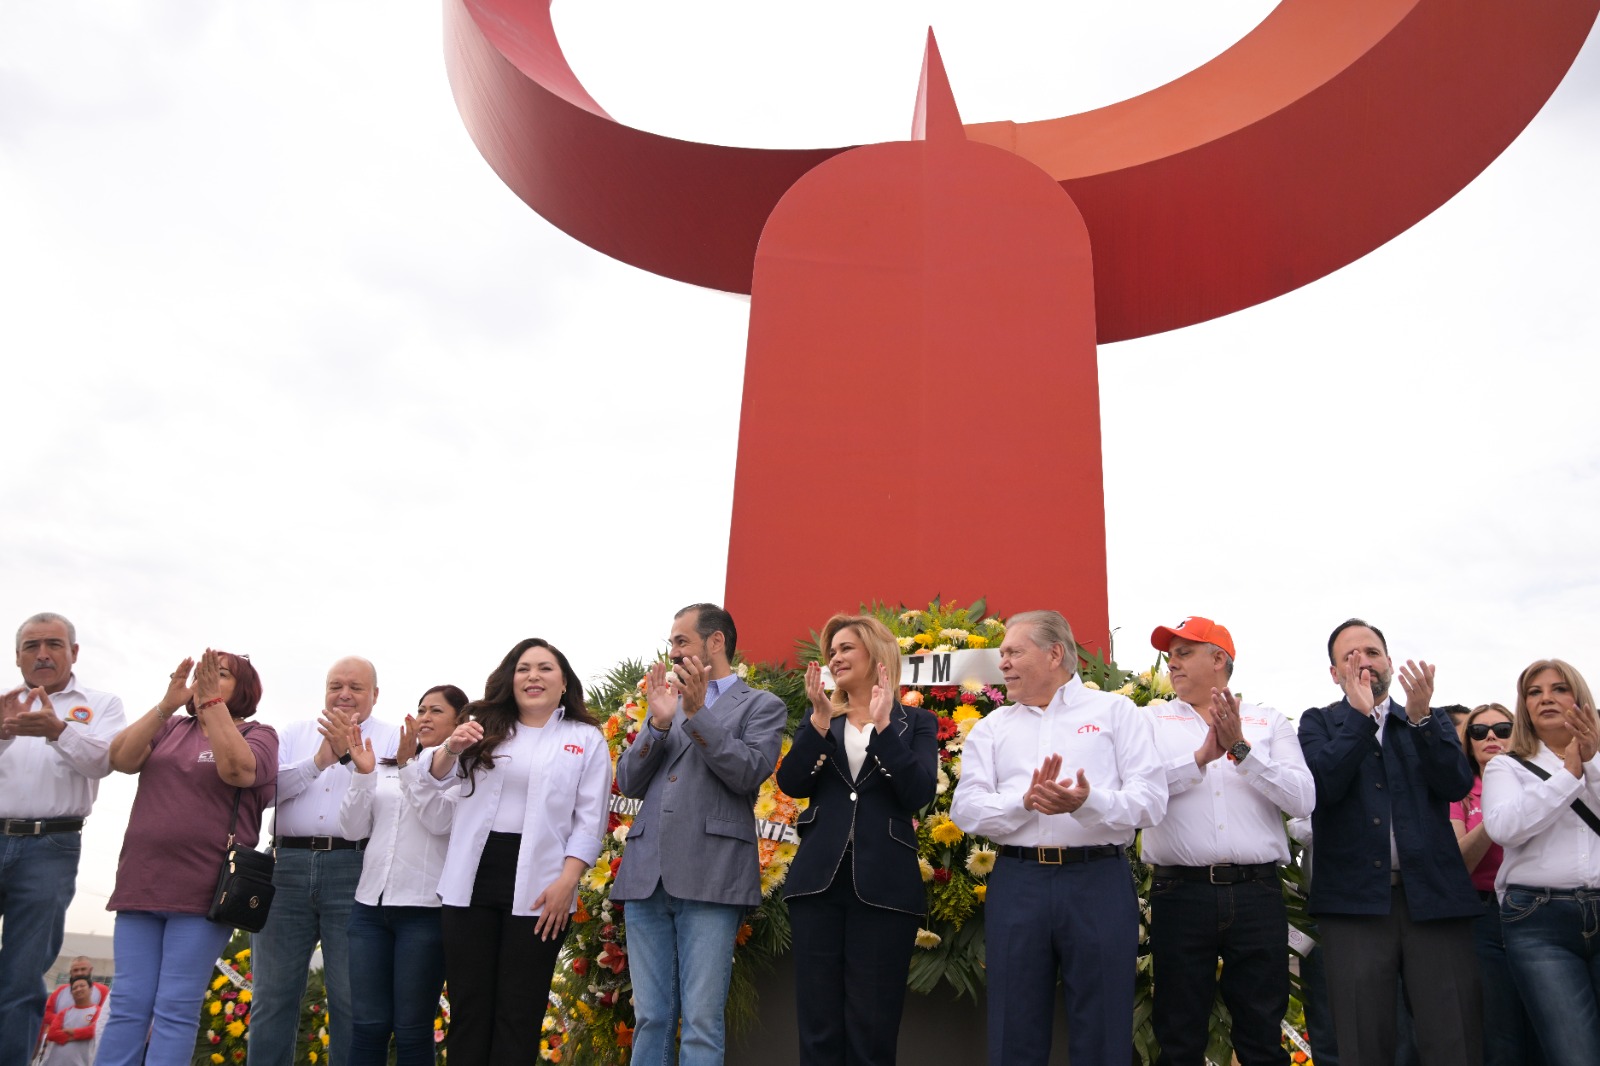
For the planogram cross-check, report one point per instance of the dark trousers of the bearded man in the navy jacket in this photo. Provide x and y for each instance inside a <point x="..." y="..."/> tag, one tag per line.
<point x="1367" y="956"/>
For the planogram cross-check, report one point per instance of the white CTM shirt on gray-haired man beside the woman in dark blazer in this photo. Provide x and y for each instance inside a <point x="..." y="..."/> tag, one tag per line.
<point x="1105" y="735"/>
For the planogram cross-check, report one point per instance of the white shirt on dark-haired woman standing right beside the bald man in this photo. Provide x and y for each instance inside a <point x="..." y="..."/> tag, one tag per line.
<point x="407" y="825"/>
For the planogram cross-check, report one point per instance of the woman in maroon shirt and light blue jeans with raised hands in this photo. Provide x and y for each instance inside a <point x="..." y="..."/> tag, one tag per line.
<point x="190" y="769"/>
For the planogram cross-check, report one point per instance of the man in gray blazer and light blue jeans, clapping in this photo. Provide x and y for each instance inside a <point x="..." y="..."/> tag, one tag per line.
<point x="690" y="867"/>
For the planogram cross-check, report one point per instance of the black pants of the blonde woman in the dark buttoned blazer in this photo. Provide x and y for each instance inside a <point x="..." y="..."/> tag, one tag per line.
<point x="850" y="976"/>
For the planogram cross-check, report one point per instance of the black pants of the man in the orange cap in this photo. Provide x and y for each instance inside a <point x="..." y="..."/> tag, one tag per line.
<point x="1194" y="924"/>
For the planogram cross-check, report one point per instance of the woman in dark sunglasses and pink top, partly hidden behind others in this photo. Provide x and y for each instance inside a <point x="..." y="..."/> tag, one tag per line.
<point x="1486" y="732"/>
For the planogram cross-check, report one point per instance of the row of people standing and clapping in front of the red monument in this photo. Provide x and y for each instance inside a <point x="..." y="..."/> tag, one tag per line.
<point x="1457" y="872"/>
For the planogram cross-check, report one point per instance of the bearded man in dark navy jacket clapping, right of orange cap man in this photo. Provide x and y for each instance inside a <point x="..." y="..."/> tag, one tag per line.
<point x="1390" y="888"/>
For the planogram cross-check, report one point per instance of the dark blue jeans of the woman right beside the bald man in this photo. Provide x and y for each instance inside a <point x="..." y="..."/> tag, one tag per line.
<point x="398" y="966"/>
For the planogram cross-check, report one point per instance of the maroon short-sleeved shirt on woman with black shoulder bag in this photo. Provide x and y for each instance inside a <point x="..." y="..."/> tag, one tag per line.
<point x="178" y="828"/>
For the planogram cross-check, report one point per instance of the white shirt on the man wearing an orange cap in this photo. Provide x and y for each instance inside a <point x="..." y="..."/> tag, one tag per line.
<point x="1226" y="812"/>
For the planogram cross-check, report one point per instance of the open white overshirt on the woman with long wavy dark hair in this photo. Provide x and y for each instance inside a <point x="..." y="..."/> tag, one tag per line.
<point x="566" y="816"/>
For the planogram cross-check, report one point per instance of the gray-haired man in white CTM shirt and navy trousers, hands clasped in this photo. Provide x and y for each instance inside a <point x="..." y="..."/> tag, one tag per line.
<point x="1060" y="780"/>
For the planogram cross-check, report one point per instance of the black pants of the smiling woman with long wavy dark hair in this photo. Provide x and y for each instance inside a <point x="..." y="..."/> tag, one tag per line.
<point x="497" y="969"/>
